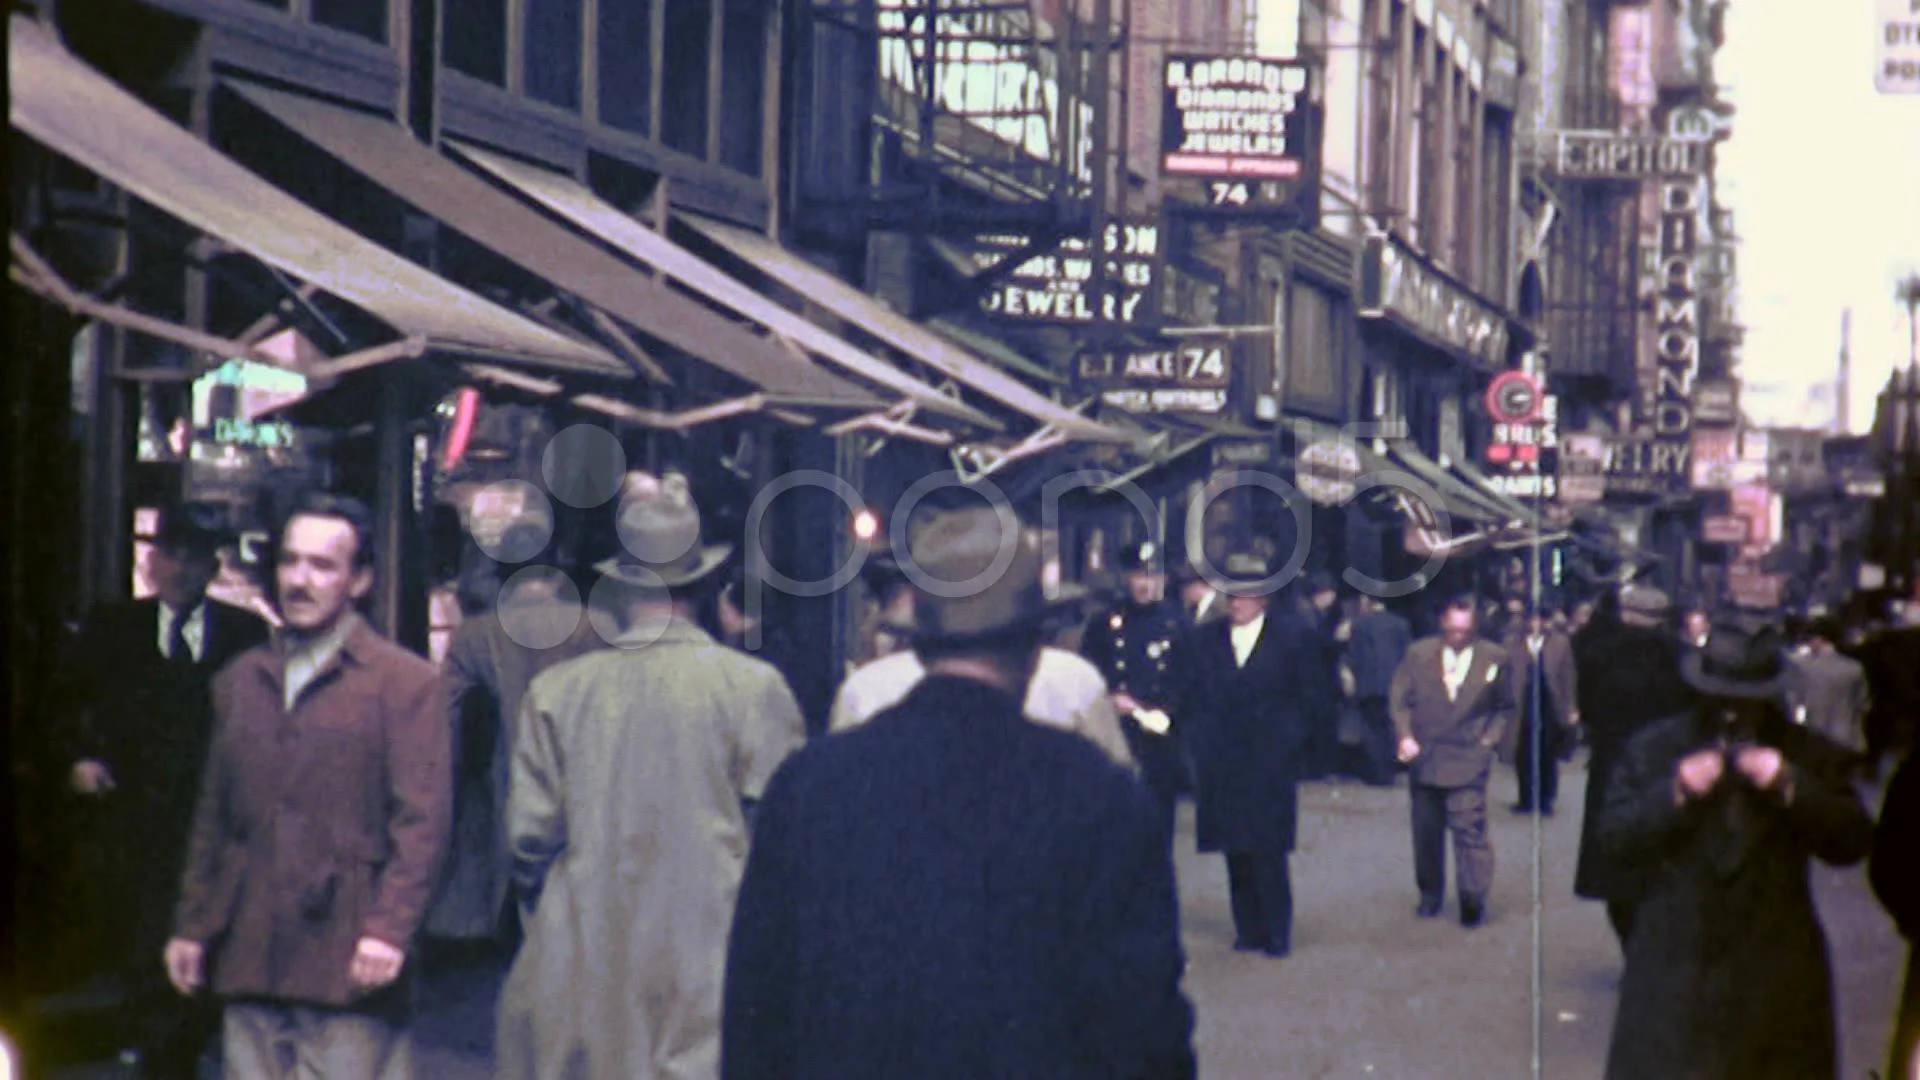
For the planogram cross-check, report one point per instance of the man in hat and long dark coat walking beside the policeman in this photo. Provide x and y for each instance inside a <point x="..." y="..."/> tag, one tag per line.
<point x="1251" y="679"/>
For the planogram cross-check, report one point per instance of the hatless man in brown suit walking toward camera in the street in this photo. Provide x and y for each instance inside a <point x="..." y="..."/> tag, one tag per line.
<point x="1452" y="702"/>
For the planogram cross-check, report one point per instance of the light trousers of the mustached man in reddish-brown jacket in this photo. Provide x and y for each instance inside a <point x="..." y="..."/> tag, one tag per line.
<point x="270" y="1041"/>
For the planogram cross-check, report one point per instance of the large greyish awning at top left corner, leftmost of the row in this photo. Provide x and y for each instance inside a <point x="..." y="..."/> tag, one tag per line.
<point x="82" y="114"/>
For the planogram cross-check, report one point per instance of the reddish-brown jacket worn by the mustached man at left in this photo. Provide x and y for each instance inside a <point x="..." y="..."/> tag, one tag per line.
<point x="320" y="825"/>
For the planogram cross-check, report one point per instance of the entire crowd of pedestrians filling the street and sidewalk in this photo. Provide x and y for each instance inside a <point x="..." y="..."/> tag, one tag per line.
<point x="690" y="860"/>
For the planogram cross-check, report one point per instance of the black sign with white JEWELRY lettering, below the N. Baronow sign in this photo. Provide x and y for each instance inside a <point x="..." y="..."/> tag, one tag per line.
<point x="1057" y="287"/>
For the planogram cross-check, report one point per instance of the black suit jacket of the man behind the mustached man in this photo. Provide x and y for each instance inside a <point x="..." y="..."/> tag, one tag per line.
<point x="151" y="722"/>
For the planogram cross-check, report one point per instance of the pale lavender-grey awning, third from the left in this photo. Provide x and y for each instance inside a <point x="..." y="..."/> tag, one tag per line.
<point x="600" y="218"/>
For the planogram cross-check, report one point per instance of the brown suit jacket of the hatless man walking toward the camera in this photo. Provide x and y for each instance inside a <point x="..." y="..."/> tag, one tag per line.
<point x="1458" y="737"/>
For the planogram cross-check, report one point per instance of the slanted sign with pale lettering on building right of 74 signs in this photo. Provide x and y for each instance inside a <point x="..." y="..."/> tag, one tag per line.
<point x="1399" y="287"/>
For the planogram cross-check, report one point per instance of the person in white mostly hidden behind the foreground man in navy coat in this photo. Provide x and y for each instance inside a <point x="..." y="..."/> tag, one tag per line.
<point x="1067" y="691"/>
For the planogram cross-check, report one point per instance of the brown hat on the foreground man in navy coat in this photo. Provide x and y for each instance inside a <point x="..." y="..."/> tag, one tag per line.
<point x="980" y="577"/>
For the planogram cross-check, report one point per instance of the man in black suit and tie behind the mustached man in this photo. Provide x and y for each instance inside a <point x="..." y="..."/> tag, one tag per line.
<point x="141" y="685"/>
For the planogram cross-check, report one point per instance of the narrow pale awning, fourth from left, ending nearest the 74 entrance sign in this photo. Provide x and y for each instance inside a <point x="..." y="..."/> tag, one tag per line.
<point x="903" y="333"/>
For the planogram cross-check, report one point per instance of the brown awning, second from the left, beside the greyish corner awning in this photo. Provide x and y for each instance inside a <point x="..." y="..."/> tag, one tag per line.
<point x="391" y="157"/>
